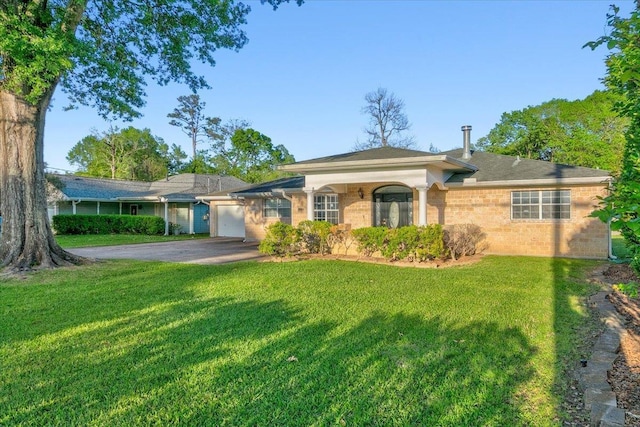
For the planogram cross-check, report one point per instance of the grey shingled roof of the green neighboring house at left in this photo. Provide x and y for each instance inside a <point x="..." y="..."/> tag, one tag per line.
<point x="183" y="187"/>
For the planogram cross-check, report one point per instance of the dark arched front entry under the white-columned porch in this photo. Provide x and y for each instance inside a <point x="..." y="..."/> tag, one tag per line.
<point x="393" y="206"/>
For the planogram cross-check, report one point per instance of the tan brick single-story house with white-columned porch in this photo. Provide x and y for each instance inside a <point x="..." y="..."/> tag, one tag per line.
<point x="525" y="207"/>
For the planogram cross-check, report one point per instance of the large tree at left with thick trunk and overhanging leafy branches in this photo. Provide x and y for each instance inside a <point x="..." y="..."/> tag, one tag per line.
<point x="102" y="53"/>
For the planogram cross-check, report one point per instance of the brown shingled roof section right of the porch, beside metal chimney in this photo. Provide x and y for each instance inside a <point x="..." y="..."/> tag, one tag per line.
<point x="500" y="168"/>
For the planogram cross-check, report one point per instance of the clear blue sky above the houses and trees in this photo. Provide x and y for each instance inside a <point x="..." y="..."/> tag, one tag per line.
<point x="302" y="77"/>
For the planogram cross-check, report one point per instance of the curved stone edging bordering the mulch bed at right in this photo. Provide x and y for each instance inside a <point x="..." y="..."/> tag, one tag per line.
<point x="599" y="399"/>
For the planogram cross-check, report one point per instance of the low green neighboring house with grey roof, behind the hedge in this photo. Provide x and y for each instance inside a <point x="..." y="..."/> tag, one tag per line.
<point x="173" y="198"/>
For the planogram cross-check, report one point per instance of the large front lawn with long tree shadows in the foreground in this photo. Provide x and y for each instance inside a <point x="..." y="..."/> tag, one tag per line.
<point x="299" y="343"/>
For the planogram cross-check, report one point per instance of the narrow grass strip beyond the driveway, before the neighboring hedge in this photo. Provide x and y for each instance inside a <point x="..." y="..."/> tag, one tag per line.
<point x="86" y="240"/>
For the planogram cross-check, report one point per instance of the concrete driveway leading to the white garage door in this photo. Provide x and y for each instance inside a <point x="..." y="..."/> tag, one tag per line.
<point x="197" y="251"/>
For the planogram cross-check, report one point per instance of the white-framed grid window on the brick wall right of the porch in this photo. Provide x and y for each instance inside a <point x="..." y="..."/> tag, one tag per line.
<point x="544" y="204"/>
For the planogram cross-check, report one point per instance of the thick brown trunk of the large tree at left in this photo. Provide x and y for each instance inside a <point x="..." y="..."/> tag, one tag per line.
<point x="26" y="241"/>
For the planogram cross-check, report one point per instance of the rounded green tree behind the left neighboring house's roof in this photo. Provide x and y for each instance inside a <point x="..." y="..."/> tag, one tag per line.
<point x="124" y="154"/>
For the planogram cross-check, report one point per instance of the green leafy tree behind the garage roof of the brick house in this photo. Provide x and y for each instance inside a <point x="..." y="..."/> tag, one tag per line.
<point x="250" y="156"/>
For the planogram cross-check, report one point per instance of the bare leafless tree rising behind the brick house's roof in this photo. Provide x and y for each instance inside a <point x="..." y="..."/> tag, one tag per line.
<point x="388" y="122"/>
